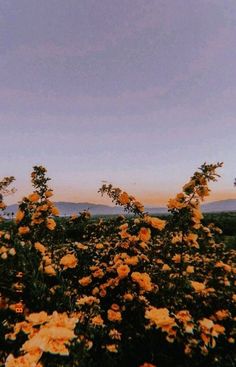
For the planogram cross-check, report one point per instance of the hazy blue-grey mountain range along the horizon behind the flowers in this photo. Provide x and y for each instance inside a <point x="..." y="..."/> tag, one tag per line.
<point x="68" y="208"/>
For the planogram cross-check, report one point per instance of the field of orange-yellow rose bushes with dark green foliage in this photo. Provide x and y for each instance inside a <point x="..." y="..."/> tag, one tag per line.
<point x="136" y="290"/>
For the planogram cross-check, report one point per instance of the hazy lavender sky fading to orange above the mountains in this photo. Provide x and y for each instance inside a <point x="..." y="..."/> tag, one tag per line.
<point x="138" y="93"/>
